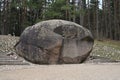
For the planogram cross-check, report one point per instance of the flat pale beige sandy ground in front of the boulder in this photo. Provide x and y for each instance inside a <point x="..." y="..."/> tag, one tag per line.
<point x="63" y="72"/>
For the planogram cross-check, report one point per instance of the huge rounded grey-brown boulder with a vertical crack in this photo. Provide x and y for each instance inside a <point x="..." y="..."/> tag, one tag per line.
<point x="54" y="42"/>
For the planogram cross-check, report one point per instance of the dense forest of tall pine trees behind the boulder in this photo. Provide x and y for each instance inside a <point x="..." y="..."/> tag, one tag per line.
<point x="101" y="17"/>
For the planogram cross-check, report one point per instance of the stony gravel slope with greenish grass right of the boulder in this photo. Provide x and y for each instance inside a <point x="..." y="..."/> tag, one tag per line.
<point x="103" y="49"/>
